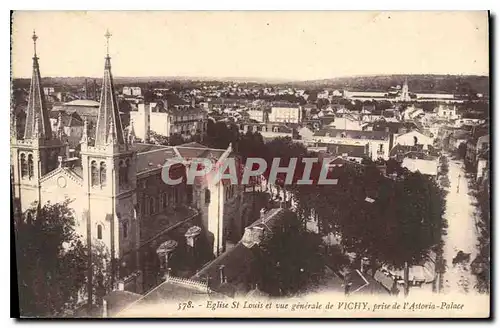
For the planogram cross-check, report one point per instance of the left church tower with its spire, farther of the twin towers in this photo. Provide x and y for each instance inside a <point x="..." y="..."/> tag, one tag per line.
<point x="38" y="151"/>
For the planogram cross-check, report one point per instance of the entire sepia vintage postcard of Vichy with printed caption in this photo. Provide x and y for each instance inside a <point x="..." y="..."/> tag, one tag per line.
<point x="317" y="164"/>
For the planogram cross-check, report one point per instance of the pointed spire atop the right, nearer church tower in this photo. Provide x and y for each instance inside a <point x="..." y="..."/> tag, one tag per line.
<point x="109" y="114"/>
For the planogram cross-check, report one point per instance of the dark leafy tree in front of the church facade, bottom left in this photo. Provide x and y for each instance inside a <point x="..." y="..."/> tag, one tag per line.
<point x="53" y="263"/>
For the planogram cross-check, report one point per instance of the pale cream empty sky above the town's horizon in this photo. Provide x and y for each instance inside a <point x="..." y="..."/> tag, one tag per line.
<point x="276" y="45"/>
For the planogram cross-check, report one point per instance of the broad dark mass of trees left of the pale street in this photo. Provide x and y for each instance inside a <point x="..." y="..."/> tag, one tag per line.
<point x="388" y="221"/>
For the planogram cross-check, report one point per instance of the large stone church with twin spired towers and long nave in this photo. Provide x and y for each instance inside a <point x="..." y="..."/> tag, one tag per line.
<point x="116" y="191"/>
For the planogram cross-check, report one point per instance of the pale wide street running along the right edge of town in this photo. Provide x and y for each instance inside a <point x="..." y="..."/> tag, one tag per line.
<point x="461" y="233"/>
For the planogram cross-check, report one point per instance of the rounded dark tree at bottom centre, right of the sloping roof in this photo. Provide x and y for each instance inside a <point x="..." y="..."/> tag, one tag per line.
<point x="290" y="258"/>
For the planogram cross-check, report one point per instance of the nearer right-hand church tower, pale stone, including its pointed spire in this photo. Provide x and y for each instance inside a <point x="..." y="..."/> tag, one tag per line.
<point x="109" y="179"/>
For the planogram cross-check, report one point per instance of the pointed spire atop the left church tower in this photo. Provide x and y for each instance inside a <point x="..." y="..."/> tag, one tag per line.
<point x="36" y="113"/>
